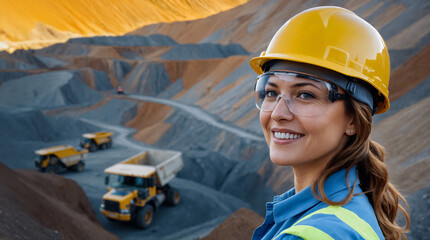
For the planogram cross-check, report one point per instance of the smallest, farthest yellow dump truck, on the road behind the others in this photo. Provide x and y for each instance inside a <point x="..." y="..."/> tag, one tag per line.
<point x="97" y="140"/>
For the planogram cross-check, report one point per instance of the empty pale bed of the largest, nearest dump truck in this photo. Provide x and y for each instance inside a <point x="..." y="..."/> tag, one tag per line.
<point x="165" y="163"/>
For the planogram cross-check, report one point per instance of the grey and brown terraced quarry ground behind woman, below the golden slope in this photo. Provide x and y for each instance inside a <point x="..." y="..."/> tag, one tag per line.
<point x="191" y="93"/>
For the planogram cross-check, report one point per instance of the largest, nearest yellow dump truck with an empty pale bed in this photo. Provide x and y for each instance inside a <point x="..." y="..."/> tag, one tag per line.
<point x="139" y="185"/>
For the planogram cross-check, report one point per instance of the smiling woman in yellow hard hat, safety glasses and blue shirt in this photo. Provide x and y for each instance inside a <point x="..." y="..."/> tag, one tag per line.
<point x="323" y="76"/>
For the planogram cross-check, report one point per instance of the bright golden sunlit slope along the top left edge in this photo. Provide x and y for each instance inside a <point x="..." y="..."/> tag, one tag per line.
<point x="29" y="24"/>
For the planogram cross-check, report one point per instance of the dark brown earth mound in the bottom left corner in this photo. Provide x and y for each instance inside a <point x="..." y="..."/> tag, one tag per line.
<point x="45" y="206"/>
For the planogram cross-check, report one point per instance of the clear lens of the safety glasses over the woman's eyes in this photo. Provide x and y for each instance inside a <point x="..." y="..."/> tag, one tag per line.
<point x="304" y="95"/>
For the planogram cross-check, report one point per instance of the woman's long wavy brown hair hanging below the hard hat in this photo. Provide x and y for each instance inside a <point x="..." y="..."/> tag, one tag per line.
<point x="368" y="157"/>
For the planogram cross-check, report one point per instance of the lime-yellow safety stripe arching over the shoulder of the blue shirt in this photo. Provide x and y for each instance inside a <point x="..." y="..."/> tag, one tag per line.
<point x="348" y="217"/>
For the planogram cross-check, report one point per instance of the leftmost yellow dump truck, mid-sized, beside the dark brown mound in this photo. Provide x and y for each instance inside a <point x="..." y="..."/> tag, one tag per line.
<point x="60" y="158"/>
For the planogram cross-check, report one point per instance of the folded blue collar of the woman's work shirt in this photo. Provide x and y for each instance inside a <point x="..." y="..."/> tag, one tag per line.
<point x="290" y="204"/>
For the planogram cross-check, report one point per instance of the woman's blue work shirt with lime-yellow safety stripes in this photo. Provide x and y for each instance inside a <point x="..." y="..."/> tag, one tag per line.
<point x="289" y="207"/>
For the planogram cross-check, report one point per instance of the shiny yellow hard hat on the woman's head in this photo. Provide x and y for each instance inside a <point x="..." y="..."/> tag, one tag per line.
<point x="336" y="39"/>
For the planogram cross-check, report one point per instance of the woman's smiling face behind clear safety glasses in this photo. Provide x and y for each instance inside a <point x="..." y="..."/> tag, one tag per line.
<point x="304" y="138"/>
